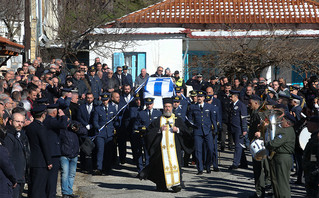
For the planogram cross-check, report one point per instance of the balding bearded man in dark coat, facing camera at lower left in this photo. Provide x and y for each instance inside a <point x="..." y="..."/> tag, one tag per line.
<point x="17" y="151"/>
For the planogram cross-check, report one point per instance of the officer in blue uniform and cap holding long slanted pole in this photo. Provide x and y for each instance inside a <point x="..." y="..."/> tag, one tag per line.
<point x="104" y="134"/>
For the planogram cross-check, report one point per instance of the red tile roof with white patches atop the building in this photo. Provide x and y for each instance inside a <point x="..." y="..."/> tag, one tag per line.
<point x="226" y="11"/>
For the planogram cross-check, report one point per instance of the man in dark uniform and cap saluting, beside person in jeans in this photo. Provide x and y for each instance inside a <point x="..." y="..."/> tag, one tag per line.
<point x="54" y="122"/>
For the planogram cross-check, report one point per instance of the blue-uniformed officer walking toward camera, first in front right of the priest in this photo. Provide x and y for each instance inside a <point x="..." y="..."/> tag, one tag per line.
<point x="205" y="120"/>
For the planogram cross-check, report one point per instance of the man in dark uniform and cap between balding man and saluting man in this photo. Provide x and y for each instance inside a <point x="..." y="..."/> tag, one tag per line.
<point x="40" y="153"/>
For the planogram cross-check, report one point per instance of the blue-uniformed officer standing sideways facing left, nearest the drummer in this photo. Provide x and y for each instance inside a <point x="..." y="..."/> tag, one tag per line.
<point x="238" y="128"/>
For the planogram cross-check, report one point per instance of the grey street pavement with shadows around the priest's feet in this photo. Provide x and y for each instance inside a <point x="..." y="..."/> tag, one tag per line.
<point x="122" y="182"/>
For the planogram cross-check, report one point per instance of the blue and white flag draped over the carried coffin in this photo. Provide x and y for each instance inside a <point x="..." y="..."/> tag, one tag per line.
<point x="158" y="88"/>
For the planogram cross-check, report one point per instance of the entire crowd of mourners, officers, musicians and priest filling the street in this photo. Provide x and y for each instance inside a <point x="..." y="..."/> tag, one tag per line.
<point x="52" y="118"/>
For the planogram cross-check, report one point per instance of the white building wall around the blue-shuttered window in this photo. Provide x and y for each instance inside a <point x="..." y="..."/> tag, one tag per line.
<point x="159" y="52"/>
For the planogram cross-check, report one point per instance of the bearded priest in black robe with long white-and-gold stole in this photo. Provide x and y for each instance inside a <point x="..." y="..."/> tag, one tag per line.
<point x="171" y="131"/>
